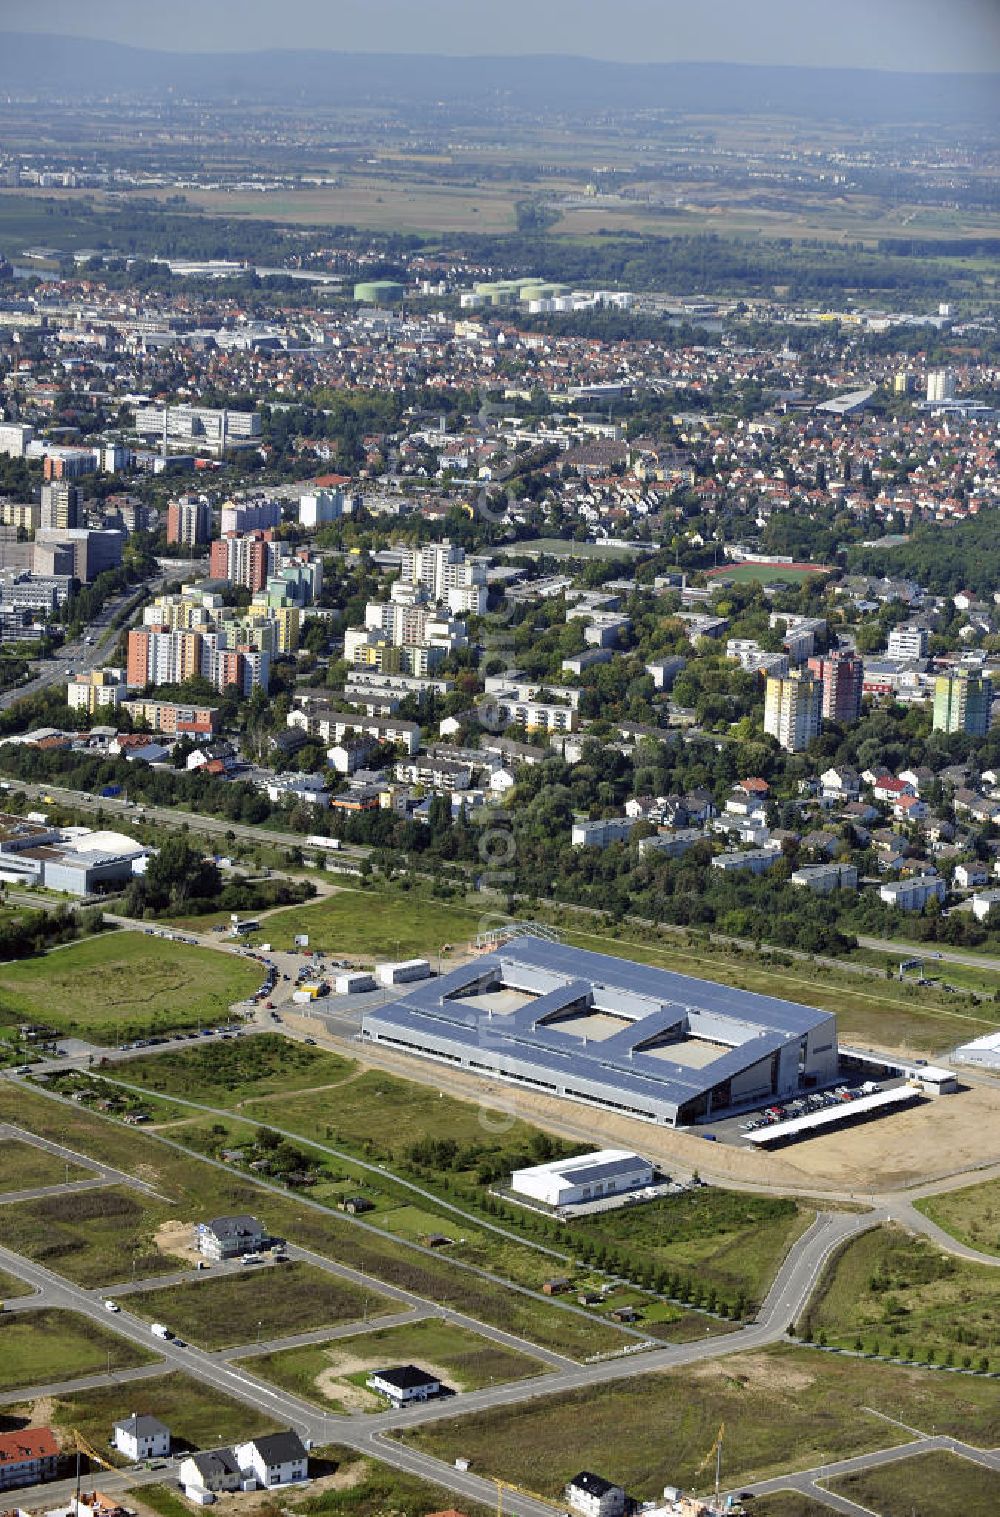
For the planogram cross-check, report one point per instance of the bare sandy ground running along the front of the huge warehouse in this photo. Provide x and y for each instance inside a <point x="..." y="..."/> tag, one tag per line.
<point x="932" y="1140"/>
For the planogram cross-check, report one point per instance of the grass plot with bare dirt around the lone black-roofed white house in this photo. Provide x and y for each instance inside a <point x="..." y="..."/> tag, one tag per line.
<point x="462" y="1358"/>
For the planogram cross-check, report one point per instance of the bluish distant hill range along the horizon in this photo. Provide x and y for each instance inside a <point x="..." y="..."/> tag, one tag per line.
<point x="538" y="84"/>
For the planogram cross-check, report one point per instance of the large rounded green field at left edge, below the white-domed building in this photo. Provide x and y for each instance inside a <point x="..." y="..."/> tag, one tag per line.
<point x="121" y="985"/>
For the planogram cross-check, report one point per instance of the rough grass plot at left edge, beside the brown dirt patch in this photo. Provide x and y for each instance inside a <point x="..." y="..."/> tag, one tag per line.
<point x="93" y="1237"/>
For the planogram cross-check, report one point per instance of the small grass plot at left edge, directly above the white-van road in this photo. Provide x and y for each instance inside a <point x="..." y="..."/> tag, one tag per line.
<point x="51" y="1345"/>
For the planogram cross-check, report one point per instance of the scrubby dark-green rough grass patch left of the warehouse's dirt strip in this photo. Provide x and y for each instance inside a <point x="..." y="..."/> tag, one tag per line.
<point x="233" y="1072"/>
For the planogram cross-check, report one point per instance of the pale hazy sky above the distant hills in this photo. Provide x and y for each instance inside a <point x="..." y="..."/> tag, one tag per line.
<point x="934" y="36"/>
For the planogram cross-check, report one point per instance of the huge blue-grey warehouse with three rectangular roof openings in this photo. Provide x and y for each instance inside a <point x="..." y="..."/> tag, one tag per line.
<point x="612" y="1034"/>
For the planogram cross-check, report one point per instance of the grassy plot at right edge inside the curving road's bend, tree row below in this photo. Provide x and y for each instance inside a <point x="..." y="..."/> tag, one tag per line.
<point x="893" y="1293"/>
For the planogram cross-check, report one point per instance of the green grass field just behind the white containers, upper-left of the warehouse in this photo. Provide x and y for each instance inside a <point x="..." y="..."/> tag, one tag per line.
<point x="376" y="925"/>
